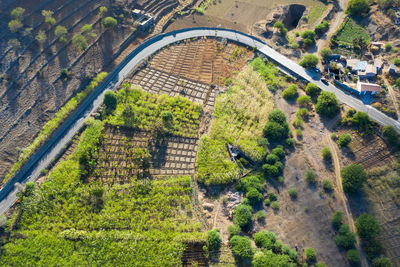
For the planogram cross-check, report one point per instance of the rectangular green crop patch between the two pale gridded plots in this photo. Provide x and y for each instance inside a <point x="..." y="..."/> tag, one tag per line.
<point x="178" y="114"/>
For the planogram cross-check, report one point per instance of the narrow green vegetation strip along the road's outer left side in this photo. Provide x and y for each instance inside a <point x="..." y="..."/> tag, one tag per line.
<point x="53" y="124"/>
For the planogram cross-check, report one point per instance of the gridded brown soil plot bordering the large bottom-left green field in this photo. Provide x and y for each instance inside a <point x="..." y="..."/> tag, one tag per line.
<point x="170" y="156"/>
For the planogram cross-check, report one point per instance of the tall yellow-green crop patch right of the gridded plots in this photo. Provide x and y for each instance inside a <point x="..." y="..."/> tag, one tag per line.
<point x="239" y="117"/>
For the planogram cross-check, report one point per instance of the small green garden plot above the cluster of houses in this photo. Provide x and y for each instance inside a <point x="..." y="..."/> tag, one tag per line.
<point x="349" y="31"/>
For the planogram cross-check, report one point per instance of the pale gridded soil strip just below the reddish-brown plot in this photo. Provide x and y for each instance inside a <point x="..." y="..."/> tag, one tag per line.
<point x="155" y="81"/>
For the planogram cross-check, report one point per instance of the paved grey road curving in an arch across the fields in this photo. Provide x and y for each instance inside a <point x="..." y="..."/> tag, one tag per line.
<point x="54" y="146"/>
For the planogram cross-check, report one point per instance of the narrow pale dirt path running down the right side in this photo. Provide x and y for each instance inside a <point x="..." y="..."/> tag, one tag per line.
<point x="341" y="194"/>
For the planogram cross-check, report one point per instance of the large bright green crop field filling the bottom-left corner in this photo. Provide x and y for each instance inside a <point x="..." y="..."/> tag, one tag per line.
<point x="70" y="221"/>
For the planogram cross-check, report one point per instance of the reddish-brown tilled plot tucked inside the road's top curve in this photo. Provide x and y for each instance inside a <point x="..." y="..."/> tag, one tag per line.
<point x="204" y="60"/>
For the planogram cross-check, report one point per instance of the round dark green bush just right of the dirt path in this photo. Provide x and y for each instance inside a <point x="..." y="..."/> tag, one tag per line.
<point x="353" y="178"/>
